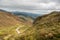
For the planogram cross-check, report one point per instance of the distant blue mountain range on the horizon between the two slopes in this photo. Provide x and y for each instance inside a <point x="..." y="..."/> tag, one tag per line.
<point x="26" y="14"/>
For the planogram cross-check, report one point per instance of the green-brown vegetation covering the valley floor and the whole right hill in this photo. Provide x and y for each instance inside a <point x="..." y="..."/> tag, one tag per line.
<point x="46" y="27"/>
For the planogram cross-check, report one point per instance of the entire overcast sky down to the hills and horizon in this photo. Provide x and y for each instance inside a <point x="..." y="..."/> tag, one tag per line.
<point x="34" y="6"/>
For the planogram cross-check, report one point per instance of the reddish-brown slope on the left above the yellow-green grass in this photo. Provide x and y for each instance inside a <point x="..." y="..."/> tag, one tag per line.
<point x="7" y="19"/>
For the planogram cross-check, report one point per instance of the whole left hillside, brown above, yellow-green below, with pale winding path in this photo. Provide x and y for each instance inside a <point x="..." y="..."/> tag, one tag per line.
<point x="11" y="25"/>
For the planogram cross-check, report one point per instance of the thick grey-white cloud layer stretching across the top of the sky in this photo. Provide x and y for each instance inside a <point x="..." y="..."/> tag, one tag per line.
<point x="30" y="4"/>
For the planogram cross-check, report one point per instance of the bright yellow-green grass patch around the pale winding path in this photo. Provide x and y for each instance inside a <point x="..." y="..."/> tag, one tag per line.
<point x="10" y="32"/>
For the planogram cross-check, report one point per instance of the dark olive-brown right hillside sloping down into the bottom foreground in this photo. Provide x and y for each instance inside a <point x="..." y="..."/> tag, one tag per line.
<point x="46" y="27"/>
